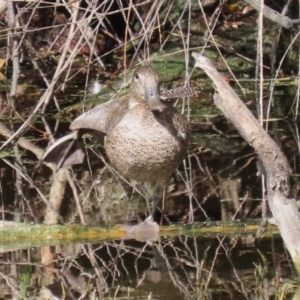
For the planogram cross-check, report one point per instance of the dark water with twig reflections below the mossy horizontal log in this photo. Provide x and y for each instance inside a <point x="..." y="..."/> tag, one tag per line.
<point x="181" y="267"/>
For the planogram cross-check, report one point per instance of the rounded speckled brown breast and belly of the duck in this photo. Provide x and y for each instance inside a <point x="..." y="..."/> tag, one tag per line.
<point x="146" y="146"/>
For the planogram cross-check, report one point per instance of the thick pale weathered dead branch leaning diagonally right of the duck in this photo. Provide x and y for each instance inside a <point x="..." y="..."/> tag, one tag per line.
<point x="283" y="207"/>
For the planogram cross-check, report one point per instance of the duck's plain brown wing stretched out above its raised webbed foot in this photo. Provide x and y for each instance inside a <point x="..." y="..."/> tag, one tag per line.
<point x="103" y="117"/>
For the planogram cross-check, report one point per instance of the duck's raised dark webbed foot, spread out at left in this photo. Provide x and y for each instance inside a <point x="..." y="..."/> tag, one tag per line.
<point x="65" y="152"/>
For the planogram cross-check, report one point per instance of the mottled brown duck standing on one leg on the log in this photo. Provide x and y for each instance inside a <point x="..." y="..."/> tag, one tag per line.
<point x="145" y="139"/>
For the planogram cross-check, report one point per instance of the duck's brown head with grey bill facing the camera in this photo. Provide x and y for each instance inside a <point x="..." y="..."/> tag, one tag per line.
<point x="145" y="84"/>
